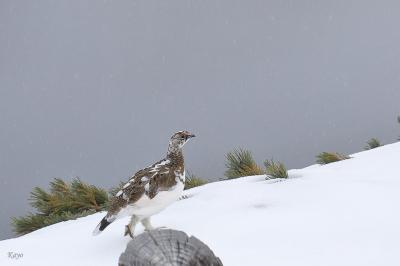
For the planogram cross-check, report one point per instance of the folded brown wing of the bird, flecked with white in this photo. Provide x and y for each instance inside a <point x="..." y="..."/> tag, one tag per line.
<point x="147" y="181"/>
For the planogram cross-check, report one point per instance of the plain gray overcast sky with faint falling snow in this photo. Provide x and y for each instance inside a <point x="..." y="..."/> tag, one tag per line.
<point x="95" y="88"/>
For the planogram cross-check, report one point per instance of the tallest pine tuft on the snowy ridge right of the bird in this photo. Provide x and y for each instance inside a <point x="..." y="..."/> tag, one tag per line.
<point x="240" y="162"/>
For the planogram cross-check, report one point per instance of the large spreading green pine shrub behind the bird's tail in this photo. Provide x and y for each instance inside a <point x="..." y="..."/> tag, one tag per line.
<point x="64" y="201"/>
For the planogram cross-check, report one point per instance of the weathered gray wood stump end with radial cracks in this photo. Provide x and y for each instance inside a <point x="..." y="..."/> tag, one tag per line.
<point x="167" y="248"/>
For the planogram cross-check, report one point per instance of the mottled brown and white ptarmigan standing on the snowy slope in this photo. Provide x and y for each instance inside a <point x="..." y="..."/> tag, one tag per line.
<point x="150" y="190"/>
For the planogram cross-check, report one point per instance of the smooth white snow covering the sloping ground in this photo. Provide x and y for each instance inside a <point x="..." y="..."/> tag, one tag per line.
<point x="345" y="213"/>
